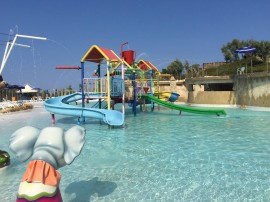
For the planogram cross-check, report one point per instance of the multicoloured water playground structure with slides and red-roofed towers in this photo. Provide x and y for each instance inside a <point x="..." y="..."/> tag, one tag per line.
<point x="124" y="81"/>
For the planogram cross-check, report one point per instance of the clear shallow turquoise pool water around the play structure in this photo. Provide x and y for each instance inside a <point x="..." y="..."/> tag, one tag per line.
<point x="158" y="156"/>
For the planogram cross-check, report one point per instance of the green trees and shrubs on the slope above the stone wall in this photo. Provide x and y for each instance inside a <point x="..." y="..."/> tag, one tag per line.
<point x="256" y="62"/>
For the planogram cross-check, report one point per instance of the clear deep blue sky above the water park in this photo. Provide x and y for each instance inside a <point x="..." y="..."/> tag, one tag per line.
<point x="158" y="31"/>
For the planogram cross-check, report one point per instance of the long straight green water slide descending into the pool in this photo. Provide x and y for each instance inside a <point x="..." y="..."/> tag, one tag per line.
<point x="182" y="108"/>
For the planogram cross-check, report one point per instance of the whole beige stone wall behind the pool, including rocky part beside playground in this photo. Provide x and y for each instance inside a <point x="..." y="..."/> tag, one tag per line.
<point x="248" y="90"/>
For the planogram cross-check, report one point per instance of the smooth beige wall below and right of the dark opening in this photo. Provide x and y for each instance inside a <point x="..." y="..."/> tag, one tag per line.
<point x="249" y="90"/>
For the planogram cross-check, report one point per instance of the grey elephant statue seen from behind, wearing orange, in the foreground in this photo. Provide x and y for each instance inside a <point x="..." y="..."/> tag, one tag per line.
<point x="48" y="149"/>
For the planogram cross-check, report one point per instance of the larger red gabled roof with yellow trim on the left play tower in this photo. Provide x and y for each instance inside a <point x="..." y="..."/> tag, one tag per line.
<point x="97" y="54"/>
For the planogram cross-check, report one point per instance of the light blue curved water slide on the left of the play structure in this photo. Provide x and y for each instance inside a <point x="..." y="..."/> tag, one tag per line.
<point x="60" y="105"/>
